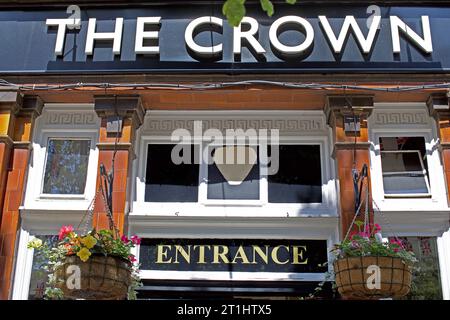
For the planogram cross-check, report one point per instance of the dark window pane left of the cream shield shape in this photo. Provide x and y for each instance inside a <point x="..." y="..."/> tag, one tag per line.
<point x="166" y="181"/>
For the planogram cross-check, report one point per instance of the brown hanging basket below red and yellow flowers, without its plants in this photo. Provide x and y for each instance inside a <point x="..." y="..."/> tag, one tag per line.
<point x="101" y="278"/>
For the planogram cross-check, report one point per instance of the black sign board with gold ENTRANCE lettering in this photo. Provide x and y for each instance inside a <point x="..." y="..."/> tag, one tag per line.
<point x="243" y="255"/>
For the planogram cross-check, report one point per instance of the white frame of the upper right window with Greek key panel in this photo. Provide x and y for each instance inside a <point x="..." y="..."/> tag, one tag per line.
<point x="408" y="216"/>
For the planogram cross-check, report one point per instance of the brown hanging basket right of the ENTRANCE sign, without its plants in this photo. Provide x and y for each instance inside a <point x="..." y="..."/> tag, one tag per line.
<point x="352" y="273"/>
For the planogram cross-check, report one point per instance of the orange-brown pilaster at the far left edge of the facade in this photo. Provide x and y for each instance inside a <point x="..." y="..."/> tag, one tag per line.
<point x="17" y="116"/>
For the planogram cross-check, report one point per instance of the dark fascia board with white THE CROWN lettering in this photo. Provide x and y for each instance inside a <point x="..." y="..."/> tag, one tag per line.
<point x="169" y="38"/>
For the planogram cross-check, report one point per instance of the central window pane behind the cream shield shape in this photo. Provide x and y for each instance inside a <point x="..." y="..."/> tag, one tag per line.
<point x="219" y="188"/>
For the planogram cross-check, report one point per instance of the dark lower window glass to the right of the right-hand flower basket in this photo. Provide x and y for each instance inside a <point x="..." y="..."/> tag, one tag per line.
<point x="426" y="283"/>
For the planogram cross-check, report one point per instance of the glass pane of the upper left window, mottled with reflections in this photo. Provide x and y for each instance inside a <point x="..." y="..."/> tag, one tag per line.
<point x="66" y="166"/>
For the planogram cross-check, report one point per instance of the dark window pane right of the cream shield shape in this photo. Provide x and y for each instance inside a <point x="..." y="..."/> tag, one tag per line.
<point x="299" y="178"/>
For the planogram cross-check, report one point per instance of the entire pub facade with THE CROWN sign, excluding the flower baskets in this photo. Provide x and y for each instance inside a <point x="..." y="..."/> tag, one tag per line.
<point x="317" y="97"/>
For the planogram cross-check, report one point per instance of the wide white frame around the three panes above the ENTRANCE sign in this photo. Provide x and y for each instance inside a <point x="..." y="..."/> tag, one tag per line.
<point x="251" y="208"/>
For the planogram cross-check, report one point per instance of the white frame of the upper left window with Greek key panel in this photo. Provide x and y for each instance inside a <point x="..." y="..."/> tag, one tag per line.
<point x="64" y="122"/>
